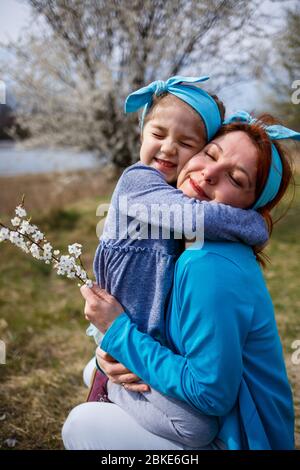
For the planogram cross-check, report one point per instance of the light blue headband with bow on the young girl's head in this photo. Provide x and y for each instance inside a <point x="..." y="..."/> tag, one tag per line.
<point x="181" y="87"/>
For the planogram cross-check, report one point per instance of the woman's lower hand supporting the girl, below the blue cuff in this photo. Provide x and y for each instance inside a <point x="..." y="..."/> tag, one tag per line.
<point x="119" y="374"/>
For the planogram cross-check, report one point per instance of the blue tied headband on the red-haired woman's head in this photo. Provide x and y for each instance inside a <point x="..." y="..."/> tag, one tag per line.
<point x="275" y="132"/>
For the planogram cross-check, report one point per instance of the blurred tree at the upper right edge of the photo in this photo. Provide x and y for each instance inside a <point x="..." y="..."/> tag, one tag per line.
<point x="285" y="86"/>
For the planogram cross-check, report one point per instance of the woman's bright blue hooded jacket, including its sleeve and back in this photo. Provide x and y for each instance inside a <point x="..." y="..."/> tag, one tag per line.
<point x="224" y="355"/>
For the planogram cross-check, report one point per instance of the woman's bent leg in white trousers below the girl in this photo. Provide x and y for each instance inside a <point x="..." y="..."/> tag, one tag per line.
<point x="105" y="426"/>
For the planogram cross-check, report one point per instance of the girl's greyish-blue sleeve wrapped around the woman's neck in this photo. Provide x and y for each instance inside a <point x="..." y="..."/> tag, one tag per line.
<point x="146" y="187"/>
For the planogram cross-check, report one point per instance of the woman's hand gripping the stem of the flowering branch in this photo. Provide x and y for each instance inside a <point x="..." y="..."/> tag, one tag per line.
<point x="101" y="308"/>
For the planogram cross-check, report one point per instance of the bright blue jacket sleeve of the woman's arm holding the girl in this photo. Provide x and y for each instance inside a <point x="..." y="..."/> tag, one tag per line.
<point x="213" y="320"/>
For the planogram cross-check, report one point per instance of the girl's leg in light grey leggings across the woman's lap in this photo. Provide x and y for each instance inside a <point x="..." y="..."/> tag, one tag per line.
<point x="166" y="417"/>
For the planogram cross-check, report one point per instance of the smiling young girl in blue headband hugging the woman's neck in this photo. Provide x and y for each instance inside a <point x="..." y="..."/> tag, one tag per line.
<point x="178" y="120"/>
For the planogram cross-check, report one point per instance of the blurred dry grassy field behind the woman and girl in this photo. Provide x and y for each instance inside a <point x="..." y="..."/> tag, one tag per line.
<point x="41" y="315"/>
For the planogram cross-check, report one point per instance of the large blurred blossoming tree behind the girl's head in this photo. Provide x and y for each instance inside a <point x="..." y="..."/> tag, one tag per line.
<point x="71" y="81"/>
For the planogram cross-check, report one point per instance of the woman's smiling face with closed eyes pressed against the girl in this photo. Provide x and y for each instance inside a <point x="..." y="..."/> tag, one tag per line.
<point x="224" y="171"/>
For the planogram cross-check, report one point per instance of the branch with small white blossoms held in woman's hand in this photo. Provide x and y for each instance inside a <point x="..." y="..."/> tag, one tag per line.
<point x="30" y="239"/>
